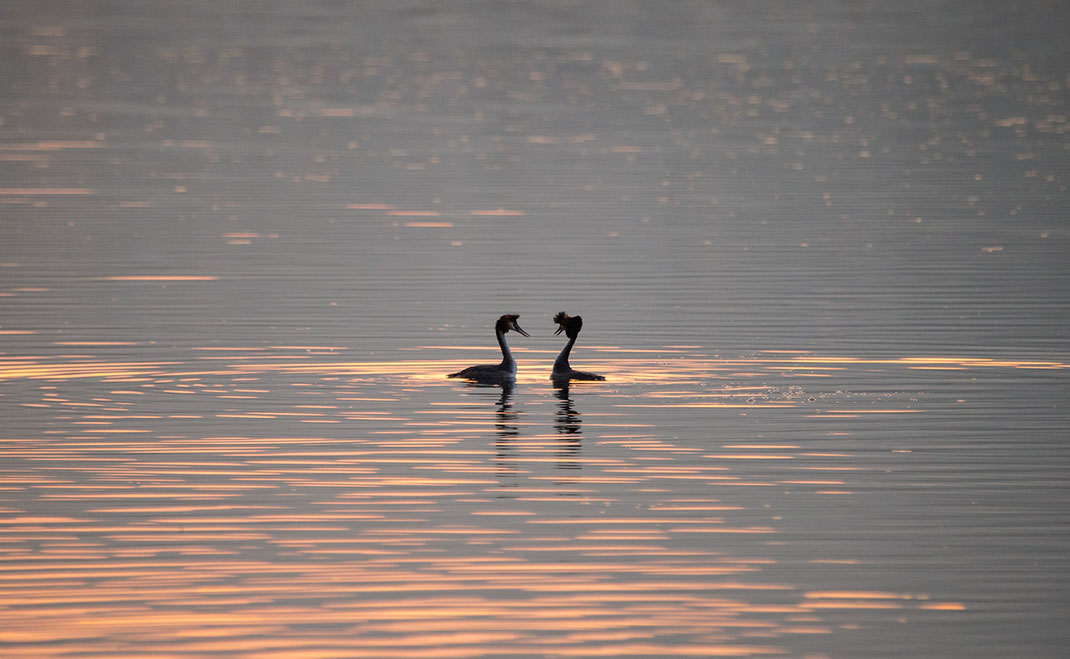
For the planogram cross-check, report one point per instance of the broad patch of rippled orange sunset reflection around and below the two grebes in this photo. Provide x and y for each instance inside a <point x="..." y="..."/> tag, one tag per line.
<point x="176" y="509"/>
